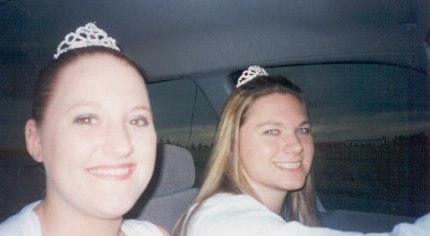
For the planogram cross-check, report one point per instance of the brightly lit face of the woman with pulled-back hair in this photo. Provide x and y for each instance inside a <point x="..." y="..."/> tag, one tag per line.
<point x="98" y="140"/>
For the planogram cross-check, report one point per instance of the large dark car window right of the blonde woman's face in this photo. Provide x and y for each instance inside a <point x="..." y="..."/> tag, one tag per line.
<point x="371" y="129"/>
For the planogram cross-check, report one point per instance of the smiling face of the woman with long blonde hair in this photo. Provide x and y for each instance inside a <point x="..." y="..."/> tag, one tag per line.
<point x="276" y="145"/>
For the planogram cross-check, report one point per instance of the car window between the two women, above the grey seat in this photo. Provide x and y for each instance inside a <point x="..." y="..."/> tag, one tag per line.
<point x="184" y="117"/>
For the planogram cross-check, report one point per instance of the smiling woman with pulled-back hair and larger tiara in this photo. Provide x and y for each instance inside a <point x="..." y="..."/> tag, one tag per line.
<point x="92" y="129"/>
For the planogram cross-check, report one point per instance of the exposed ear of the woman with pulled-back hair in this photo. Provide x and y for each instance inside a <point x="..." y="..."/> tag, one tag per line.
<point x="33" y="140"/>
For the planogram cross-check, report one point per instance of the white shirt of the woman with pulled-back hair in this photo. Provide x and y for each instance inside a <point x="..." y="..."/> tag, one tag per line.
<point x="26" y="223"/>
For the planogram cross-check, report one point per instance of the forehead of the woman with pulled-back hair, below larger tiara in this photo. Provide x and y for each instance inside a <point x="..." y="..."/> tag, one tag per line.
<point x="99" y="77"/>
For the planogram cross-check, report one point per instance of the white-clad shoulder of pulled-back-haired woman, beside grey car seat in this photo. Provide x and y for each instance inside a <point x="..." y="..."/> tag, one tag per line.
<point x="138" y="227"/>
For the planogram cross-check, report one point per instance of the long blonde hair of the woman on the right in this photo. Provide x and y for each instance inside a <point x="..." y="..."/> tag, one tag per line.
<point x="223" y="173"/>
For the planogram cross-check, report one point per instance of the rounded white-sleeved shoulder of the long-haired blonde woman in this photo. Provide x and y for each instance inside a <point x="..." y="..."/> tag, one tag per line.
<point x="233" y="214"/>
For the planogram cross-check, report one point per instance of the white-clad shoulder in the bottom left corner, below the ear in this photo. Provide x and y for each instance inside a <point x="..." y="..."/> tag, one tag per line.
<point x="23" y="223"/>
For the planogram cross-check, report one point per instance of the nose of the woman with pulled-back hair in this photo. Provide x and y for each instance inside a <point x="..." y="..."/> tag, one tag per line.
<point x="117" y="142"/>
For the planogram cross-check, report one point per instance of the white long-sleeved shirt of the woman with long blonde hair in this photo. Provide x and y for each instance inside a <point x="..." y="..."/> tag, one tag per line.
<point x="230" y="214"/>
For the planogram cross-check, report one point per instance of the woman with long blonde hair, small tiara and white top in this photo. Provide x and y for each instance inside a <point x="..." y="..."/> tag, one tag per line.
<point x="258" y="177"/>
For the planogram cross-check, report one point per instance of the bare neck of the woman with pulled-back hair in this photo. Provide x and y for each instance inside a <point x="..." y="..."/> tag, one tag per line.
<point x="59" y="220"/>
